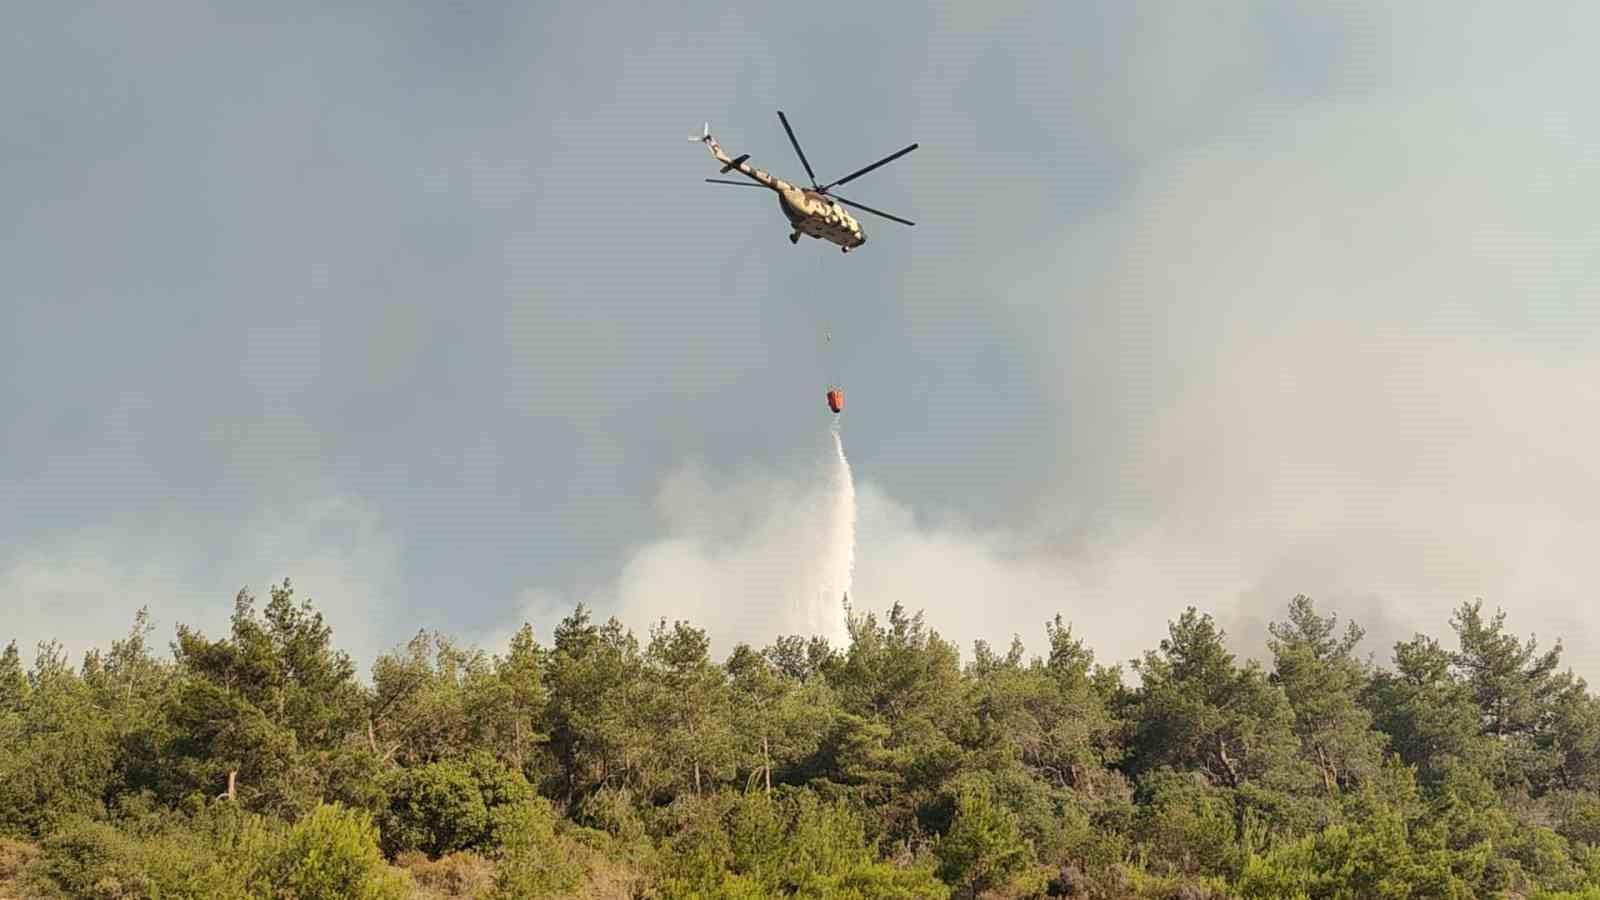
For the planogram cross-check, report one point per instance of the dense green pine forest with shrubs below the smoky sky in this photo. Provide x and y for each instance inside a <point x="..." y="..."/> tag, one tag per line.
<point x="601" y="763"/>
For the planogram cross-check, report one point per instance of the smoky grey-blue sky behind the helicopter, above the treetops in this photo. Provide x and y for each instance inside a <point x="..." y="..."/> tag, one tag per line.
<point x="428" y="308"/>
